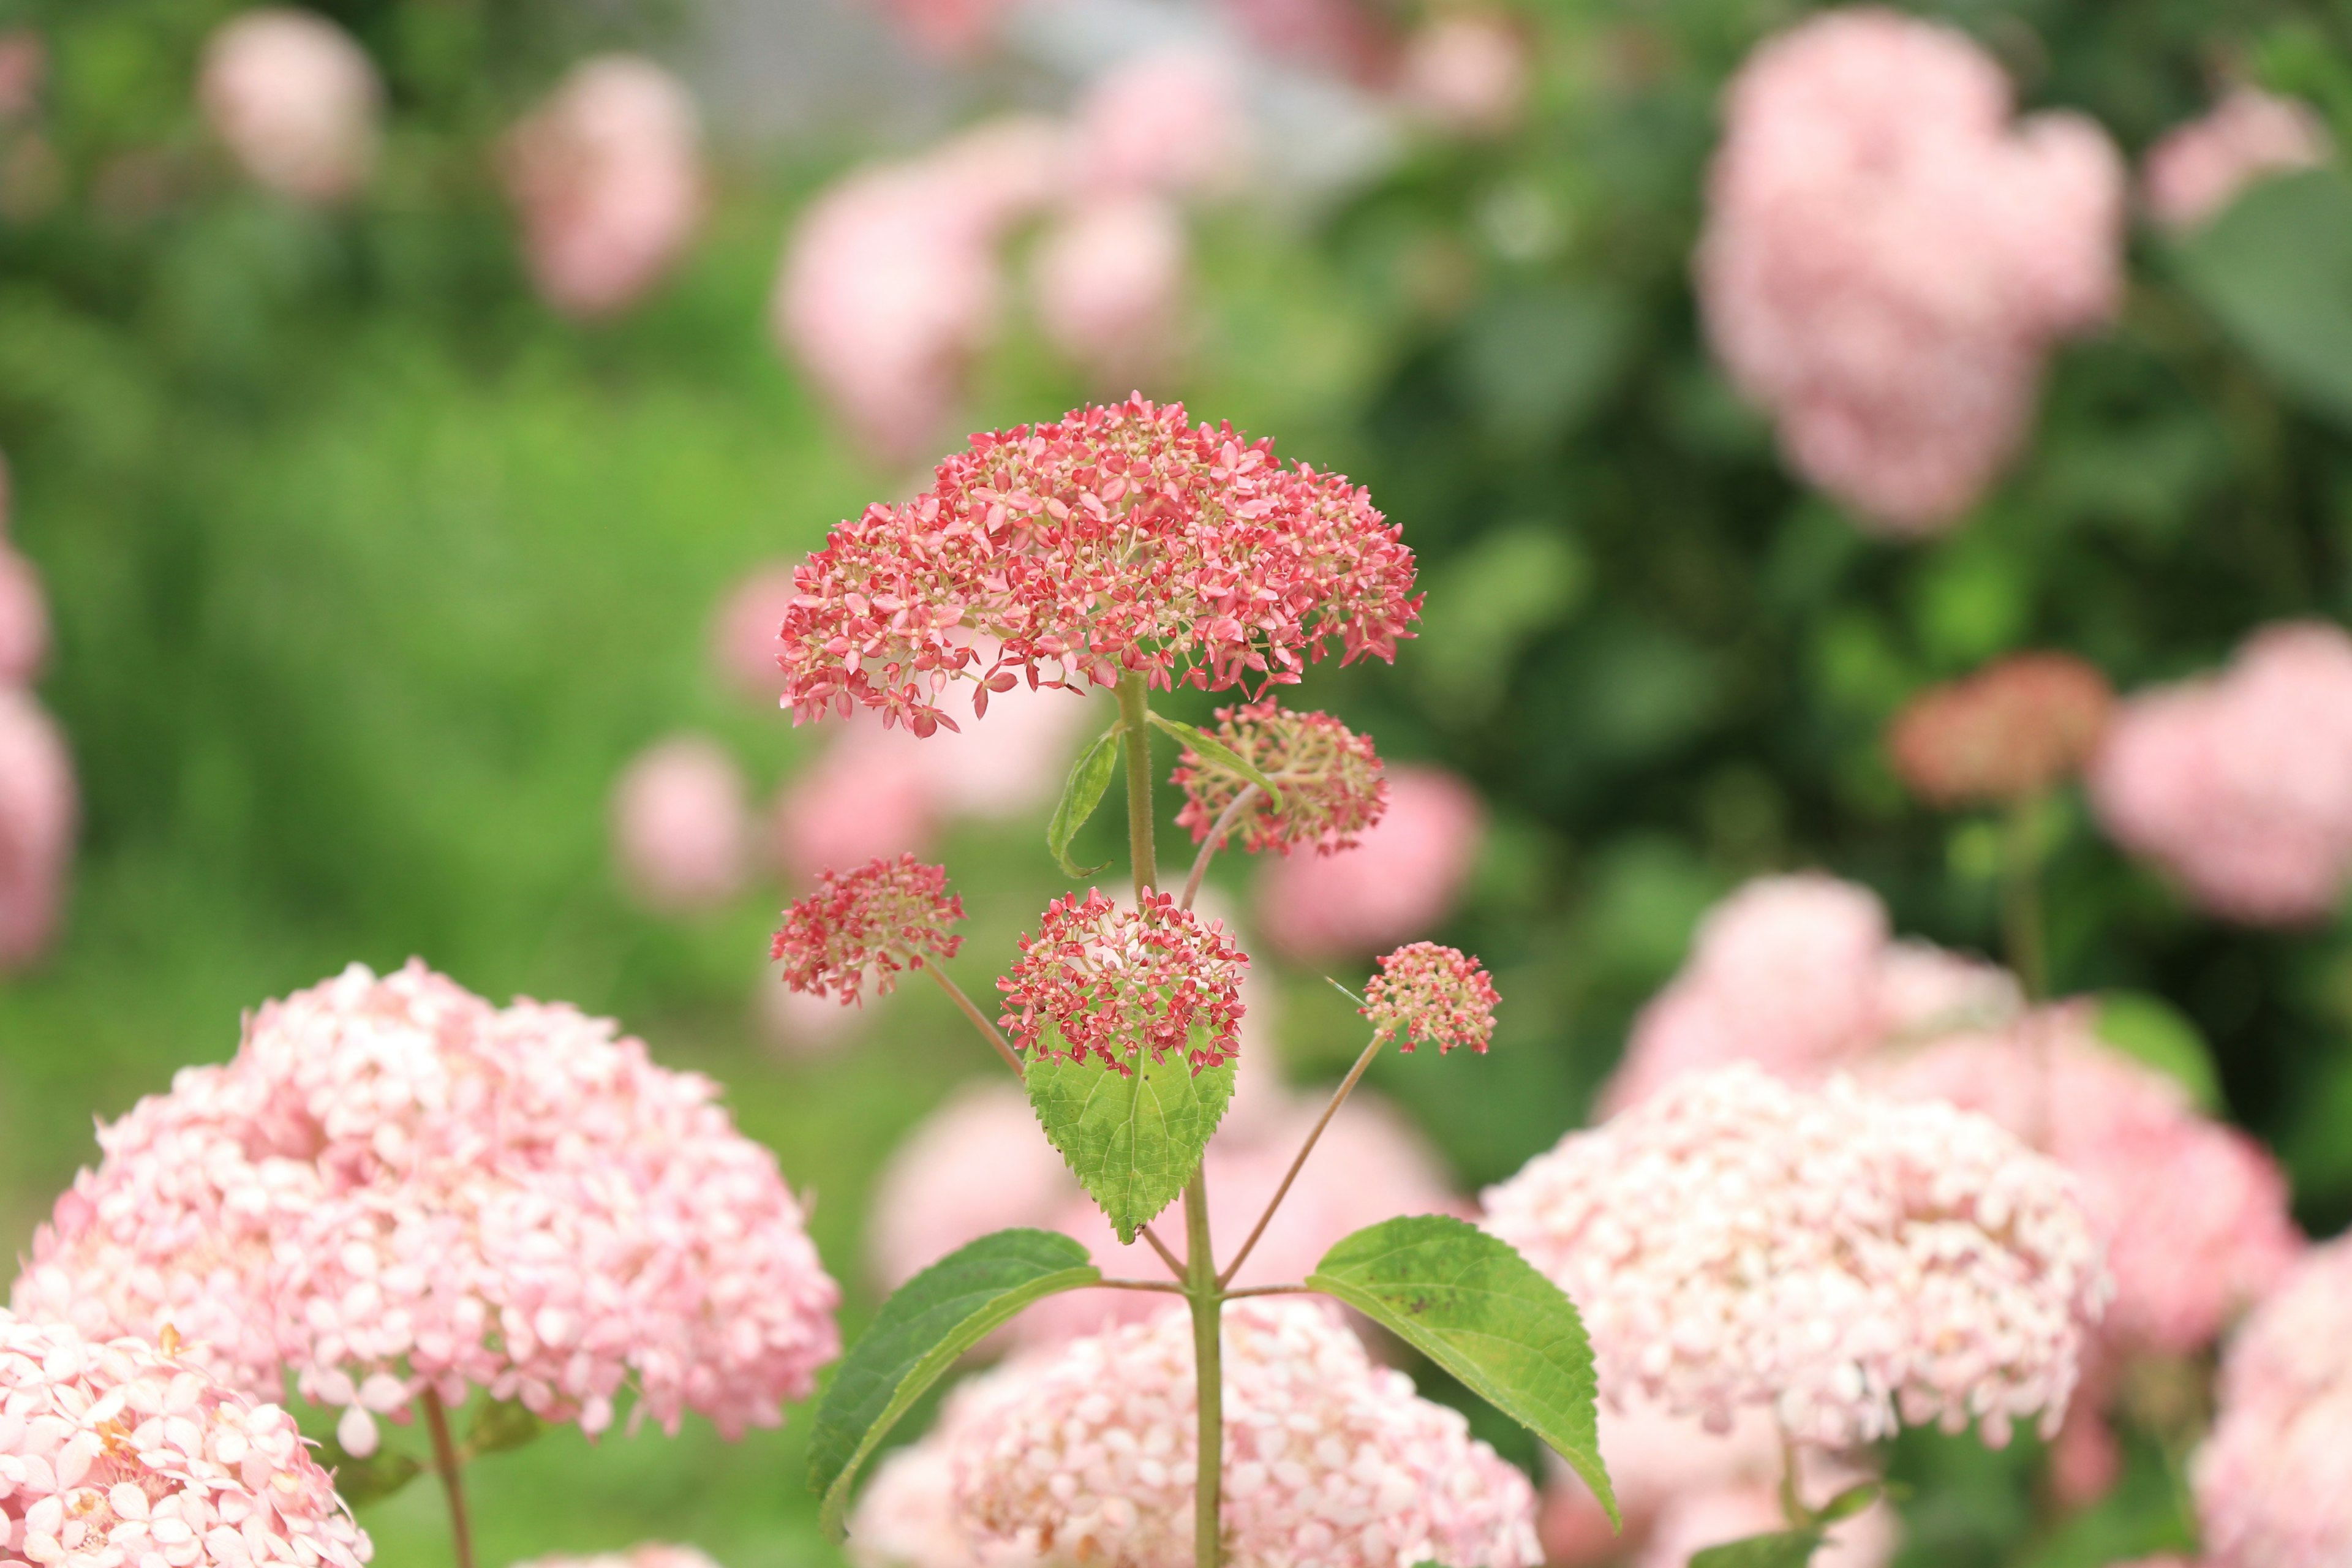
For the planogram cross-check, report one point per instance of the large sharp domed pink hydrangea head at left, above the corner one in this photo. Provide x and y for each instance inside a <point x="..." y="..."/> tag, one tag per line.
<point x="401" y="1188"/>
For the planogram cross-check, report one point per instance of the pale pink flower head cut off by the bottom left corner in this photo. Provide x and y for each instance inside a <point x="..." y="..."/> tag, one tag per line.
<point x="116" y="1452"/>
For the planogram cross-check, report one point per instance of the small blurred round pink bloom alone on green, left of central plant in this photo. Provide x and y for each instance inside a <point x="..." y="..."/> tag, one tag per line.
<point x="681" y="826"/>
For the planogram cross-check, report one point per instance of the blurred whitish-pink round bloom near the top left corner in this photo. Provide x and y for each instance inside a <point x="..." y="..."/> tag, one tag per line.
<point x="295" y="100"/>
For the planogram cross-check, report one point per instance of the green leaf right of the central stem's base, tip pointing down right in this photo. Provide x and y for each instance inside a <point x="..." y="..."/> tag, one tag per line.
<point x="1481" y="1311"/>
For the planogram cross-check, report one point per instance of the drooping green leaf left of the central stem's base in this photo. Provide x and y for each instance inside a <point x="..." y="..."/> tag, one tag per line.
<point x="916" y="1339"/>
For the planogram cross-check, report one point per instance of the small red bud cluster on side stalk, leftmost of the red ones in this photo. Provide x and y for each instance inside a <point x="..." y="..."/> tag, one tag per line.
<point x="883" y="918"/>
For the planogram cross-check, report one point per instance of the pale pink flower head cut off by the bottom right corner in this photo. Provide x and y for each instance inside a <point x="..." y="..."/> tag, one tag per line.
<point x="2276" y="1477"/>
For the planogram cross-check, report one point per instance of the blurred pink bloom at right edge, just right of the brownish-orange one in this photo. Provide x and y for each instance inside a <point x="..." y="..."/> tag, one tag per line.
<point x="2240" y="784"/>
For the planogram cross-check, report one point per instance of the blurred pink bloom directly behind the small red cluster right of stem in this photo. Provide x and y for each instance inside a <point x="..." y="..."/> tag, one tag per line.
<point x="1396" y="885"/>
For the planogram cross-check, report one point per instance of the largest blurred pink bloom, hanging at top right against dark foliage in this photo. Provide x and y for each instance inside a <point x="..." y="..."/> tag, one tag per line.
<point x="1890" y="257"/>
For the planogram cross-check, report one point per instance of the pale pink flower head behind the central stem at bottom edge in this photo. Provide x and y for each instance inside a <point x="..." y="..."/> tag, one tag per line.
<point x="1330" y="1461"/>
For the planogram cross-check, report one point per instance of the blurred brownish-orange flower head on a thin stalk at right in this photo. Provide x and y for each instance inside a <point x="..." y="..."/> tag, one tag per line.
<point x="2003" y="735"/>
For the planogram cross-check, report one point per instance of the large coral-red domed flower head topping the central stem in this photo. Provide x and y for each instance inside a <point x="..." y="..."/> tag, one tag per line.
<point x="1118" y="540"/>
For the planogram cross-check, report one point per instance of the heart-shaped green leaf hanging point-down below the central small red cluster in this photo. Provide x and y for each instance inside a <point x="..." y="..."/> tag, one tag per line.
<point x="1135" y="1139"/>
